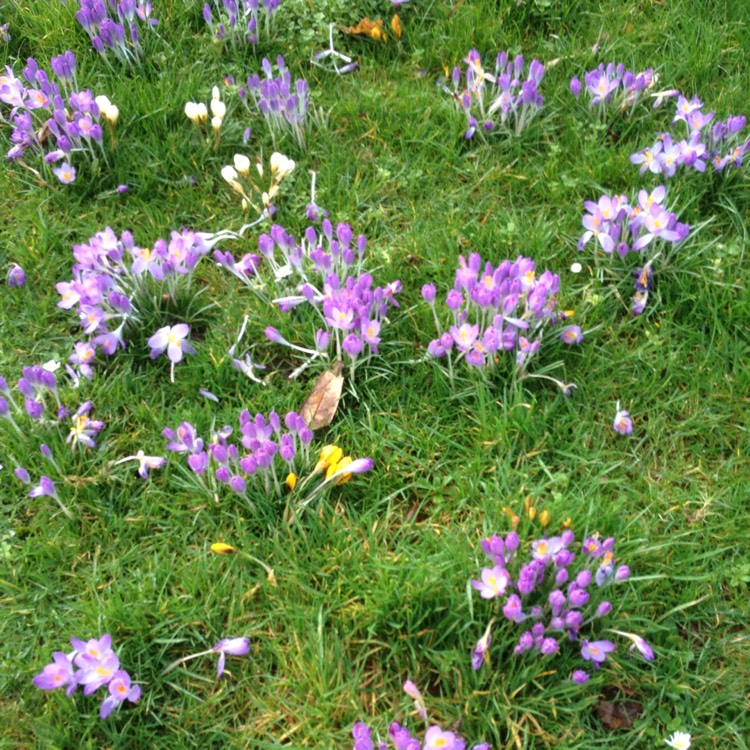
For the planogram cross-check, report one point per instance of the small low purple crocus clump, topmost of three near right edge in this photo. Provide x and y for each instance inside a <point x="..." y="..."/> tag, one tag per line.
<point x="614" y="85"/>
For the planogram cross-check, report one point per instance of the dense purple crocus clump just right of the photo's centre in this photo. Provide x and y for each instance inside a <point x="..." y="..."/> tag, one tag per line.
<point x="495" y="309"/>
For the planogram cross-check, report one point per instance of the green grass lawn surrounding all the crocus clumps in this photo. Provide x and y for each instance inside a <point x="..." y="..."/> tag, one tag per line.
<point x="371" y="584"/>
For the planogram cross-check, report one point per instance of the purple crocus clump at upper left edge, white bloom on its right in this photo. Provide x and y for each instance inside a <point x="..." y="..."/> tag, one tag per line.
<point x="55" y="120"/>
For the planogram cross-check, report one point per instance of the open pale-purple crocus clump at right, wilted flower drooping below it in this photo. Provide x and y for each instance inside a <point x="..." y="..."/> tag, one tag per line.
<point x="616" y="225"/>
